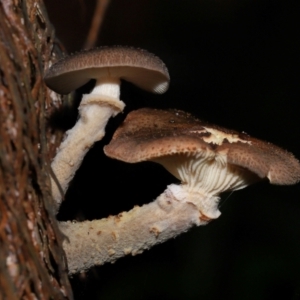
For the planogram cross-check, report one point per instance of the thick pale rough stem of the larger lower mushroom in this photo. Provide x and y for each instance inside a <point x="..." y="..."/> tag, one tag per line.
<point x="92" y="243"/>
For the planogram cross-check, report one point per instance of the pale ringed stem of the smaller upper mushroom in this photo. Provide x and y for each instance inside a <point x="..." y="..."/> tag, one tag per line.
<point x="95" y="110"/>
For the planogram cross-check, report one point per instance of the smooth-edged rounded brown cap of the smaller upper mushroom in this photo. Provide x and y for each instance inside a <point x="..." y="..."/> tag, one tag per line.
<point x="137" y="66"/>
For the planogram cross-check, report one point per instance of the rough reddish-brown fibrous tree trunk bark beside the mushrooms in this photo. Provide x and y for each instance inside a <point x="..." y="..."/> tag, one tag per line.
<point x="32" y="264"/>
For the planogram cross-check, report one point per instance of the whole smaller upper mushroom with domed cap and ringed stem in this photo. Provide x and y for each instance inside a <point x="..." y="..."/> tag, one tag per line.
<point x="107" y="65"/>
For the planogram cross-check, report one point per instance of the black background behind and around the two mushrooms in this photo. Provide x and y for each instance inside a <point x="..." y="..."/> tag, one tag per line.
<point x="233" y="63"/>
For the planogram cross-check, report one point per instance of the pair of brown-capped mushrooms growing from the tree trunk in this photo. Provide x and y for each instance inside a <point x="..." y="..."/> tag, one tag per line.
<point x="207" y="159"/>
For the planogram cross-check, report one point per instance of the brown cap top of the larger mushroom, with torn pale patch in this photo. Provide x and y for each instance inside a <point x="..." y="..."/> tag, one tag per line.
<point x="148" y="134"/>
